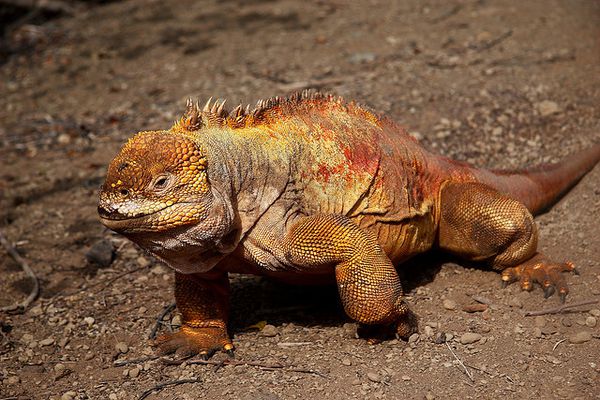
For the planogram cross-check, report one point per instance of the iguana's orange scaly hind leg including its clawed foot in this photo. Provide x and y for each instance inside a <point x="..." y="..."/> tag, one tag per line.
<point x="480" y="224"/>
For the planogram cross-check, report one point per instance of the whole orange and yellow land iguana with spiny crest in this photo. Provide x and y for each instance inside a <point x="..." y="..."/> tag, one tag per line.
<point x="311" y="186"/>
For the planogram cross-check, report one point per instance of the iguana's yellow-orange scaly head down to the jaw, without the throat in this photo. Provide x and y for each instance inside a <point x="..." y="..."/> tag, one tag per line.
<point x="157" y="182"/>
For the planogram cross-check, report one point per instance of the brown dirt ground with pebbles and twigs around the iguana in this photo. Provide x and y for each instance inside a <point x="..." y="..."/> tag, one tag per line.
<point x="496" y="83"/>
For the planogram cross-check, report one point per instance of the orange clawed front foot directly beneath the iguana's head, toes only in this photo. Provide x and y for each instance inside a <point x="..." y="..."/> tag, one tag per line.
<point x="191" y="341"/>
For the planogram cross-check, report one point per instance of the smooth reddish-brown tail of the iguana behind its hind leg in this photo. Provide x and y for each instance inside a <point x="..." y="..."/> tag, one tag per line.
<point x="542" y="186"/>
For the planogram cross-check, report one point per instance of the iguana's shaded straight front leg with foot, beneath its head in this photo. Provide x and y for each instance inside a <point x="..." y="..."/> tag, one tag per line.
<point x="203" y="300"/>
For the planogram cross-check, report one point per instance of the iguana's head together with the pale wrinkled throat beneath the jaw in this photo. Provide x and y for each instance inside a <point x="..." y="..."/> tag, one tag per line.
<point x="157" y="192"/>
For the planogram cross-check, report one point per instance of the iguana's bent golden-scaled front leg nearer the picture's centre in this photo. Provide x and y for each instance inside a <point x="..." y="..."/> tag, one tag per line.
<point x="368" y="283"/>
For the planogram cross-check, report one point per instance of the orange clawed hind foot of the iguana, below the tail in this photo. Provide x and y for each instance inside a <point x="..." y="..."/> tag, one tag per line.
<point x="541" y="270"/>
